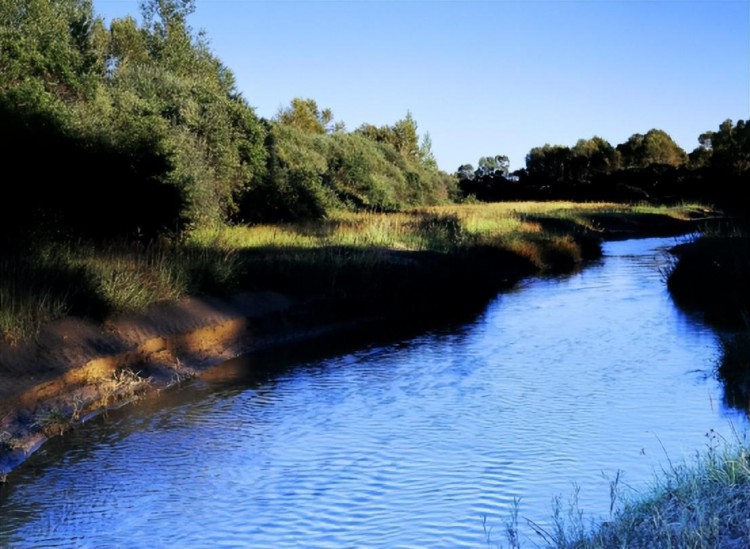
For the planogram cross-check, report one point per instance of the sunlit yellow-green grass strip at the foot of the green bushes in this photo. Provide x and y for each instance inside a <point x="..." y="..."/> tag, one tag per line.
<point x="411" y="230"/>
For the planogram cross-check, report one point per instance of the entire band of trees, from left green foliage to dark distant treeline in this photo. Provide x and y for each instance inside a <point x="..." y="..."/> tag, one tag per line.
<point x="136" y="128"/>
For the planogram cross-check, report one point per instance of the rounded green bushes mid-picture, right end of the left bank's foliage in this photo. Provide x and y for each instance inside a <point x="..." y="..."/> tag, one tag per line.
<point x="314" y="166"/>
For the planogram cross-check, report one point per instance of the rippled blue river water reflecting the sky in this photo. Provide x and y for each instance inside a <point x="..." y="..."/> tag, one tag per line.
<point x="417" y="442"/>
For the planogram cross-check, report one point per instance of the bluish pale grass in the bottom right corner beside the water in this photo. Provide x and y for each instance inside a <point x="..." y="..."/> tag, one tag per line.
<point x="699" y="503"/>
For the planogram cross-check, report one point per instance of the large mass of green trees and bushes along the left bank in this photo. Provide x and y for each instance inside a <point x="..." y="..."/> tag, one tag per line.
<point x="144" y="122"/>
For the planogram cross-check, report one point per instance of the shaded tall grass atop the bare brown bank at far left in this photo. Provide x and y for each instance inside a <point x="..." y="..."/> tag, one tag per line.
<point x="96" y="280"/>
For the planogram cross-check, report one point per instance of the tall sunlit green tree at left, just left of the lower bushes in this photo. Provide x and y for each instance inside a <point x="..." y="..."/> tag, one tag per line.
<point x="164" y="72"/>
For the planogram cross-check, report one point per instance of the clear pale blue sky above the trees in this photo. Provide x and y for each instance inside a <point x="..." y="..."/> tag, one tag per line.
<point x="494" y="76"/>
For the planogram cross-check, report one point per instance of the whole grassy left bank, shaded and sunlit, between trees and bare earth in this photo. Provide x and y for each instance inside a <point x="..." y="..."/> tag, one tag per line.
<point x="455" y="251"/>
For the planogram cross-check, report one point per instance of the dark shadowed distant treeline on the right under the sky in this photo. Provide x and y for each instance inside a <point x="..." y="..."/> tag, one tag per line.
<point x="650" y="167"/>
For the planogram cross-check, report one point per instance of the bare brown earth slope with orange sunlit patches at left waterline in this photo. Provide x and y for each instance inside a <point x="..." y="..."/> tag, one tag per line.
<point x="75" y="369"/>
